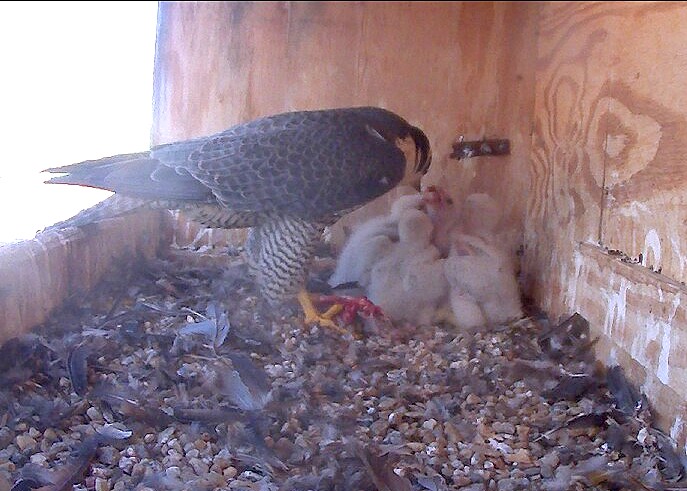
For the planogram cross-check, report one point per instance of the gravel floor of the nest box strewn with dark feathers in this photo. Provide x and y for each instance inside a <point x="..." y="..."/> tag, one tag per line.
<point x="174" y="378"/>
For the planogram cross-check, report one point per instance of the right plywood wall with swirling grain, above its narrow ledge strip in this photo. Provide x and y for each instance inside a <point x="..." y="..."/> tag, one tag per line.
<point x="610" y="132"/>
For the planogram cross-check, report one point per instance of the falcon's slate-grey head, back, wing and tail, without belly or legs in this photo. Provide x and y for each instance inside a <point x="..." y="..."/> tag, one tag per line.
<point x="307" y="164"/>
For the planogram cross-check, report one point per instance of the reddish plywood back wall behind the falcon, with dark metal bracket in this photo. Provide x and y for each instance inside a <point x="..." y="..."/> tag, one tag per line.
<point x="453" y="68"/>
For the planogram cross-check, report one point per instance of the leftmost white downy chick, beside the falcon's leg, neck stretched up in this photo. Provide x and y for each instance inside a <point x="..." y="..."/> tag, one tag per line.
<point x="369" y="242"/>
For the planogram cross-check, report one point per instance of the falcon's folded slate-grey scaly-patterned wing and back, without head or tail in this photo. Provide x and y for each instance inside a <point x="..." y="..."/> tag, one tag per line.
<point x="306" y="164"/>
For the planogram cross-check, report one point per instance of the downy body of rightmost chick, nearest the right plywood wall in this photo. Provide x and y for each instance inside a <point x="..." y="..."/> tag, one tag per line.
<point x="481" y="276"/>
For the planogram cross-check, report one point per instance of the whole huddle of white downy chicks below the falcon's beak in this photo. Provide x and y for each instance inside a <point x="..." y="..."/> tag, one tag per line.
<point x="429" y="261"/>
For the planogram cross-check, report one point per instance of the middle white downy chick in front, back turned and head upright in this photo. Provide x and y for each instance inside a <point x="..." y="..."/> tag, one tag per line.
<point x="408" y="283"/>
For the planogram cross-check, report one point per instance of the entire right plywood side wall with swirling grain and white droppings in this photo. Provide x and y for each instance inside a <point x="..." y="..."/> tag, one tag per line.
<point x="608" y="173"/>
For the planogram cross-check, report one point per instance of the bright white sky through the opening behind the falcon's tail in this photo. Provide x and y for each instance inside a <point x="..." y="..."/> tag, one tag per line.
<point x="76" y="84"/>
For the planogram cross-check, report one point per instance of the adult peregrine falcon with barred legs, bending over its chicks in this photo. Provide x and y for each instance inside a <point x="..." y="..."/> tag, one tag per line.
<point x="285" y="176"/>
